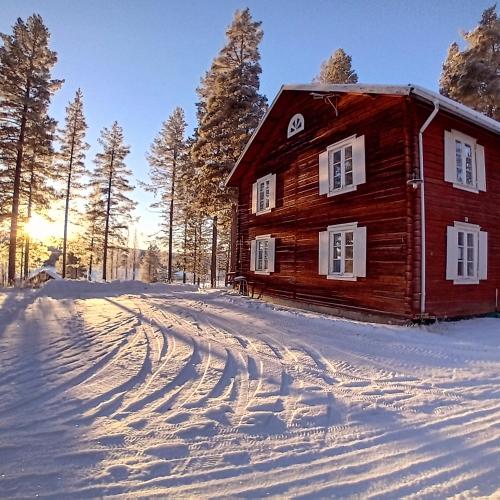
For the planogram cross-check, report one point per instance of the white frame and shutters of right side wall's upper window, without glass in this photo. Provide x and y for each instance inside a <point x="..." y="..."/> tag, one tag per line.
<point x="477" y="162"/>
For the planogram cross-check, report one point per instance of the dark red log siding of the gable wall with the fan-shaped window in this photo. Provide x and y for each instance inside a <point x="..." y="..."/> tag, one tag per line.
<point x="384" y="204"/>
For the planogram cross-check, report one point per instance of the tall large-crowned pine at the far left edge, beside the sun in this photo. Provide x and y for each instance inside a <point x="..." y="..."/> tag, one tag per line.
<point x="25" y="91"/>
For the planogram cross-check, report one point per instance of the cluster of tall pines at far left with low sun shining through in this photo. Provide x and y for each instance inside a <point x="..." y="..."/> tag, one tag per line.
<point x="33" y="176"/>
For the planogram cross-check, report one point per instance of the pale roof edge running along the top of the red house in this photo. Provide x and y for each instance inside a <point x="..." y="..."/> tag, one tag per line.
<point x="419" y="92"/>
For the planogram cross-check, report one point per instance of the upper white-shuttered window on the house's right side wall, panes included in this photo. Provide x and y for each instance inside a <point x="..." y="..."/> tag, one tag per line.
<point x="464" y="162"/>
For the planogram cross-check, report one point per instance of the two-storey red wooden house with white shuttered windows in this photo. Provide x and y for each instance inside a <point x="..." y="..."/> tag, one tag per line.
<point x="371" y="201"/>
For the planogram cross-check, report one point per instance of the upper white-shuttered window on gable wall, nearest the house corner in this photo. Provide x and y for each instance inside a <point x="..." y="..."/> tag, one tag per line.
<point x="342" y="166"/>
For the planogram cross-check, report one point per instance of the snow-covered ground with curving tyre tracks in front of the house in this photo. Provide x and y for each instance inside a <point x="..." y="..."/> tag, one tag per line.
<point x="135" y="390"/>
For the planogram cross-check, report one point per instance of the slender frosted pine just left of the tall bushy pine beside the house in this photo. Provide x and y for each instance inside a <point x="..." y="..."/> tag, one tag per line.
<point x="166" y="156"/>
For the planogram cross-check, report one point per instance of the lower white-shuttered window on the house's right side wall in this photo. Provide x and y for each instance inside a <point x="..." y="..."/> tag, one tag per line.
<point x="467" y="253"/>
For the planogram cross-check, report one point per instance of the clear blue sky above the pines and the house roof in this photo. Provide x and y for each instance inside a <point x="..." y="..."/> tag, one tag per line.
<point x="136" y="61"/>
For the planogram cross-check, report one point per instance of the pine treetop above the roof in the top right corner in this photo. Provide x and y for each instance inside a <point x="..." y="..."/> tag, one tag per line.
<point x="472" y="76"/>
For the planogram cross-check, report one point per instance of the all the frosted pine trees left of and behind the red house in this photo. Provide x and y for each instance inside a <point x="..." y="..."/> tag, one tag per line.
<point x="187" y="174"/>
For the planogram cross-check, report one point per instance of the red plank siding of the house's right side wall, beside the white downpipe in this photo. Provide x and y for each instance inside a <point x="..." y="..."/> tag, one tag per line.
<point x="446" y="204"/>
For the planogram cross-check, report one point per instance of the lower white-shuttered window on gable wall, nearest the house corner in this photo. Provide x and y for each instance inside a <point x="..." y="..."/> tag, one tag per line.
<point x="342" y="252"/>
